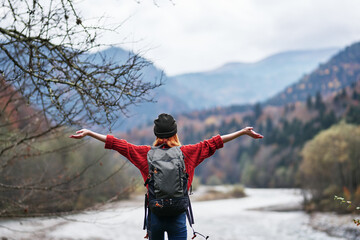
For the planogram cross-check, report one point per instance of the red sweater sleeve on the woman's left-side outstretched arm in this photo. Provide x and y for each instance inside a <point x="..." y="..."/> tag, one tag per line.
<point x="137" y="155"/>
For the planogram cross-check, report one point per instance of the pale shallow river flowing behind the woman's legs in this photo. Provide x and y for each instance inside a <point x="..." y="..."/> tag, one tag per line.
<point x="231" y="219"/>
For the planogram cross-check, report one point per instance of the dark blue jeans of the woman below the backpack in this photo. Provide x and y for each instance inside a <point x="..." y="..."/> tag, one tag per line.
<point x="174" y="226"/>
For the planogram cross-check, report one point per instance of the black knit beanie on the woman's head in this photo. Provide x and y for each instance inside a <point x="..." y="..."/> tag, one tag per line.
<point x="165" y="126"/>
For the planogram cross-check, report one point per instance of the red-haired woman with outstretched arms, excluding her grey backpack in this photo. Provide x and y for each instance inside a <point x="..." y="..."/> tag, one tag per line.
<point x="165" y="130"/>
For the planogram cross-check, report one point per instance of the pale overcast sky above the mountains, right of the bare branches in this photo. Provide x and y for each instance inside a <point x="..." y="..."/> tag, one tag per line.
<point x="182" y="36"/>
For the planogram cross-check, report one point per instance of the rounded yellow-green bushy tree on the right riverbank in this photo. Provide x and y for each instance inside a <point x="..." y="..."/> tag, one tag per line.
<point x="331" y="163"/>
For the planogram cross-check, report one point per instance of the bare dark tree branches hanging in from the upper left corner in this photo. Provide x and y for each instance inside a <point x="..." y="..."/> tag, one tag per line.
<point x="44" y="56"/>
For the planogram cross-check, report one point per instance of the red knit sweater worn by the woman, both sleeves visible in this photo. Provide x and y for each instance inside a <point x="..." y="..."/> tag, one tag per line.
<point x="194" y="154"/>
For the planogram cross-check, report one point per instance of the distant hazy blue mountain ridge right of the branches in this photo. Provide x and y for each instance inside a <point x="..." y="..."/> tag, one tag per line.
<point x="239" y="83"/>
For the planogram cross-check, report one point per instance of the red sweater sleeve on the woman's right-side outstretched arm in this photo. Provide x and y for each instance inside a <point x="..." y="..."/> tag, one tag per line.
<point x="196" y="153"/>
